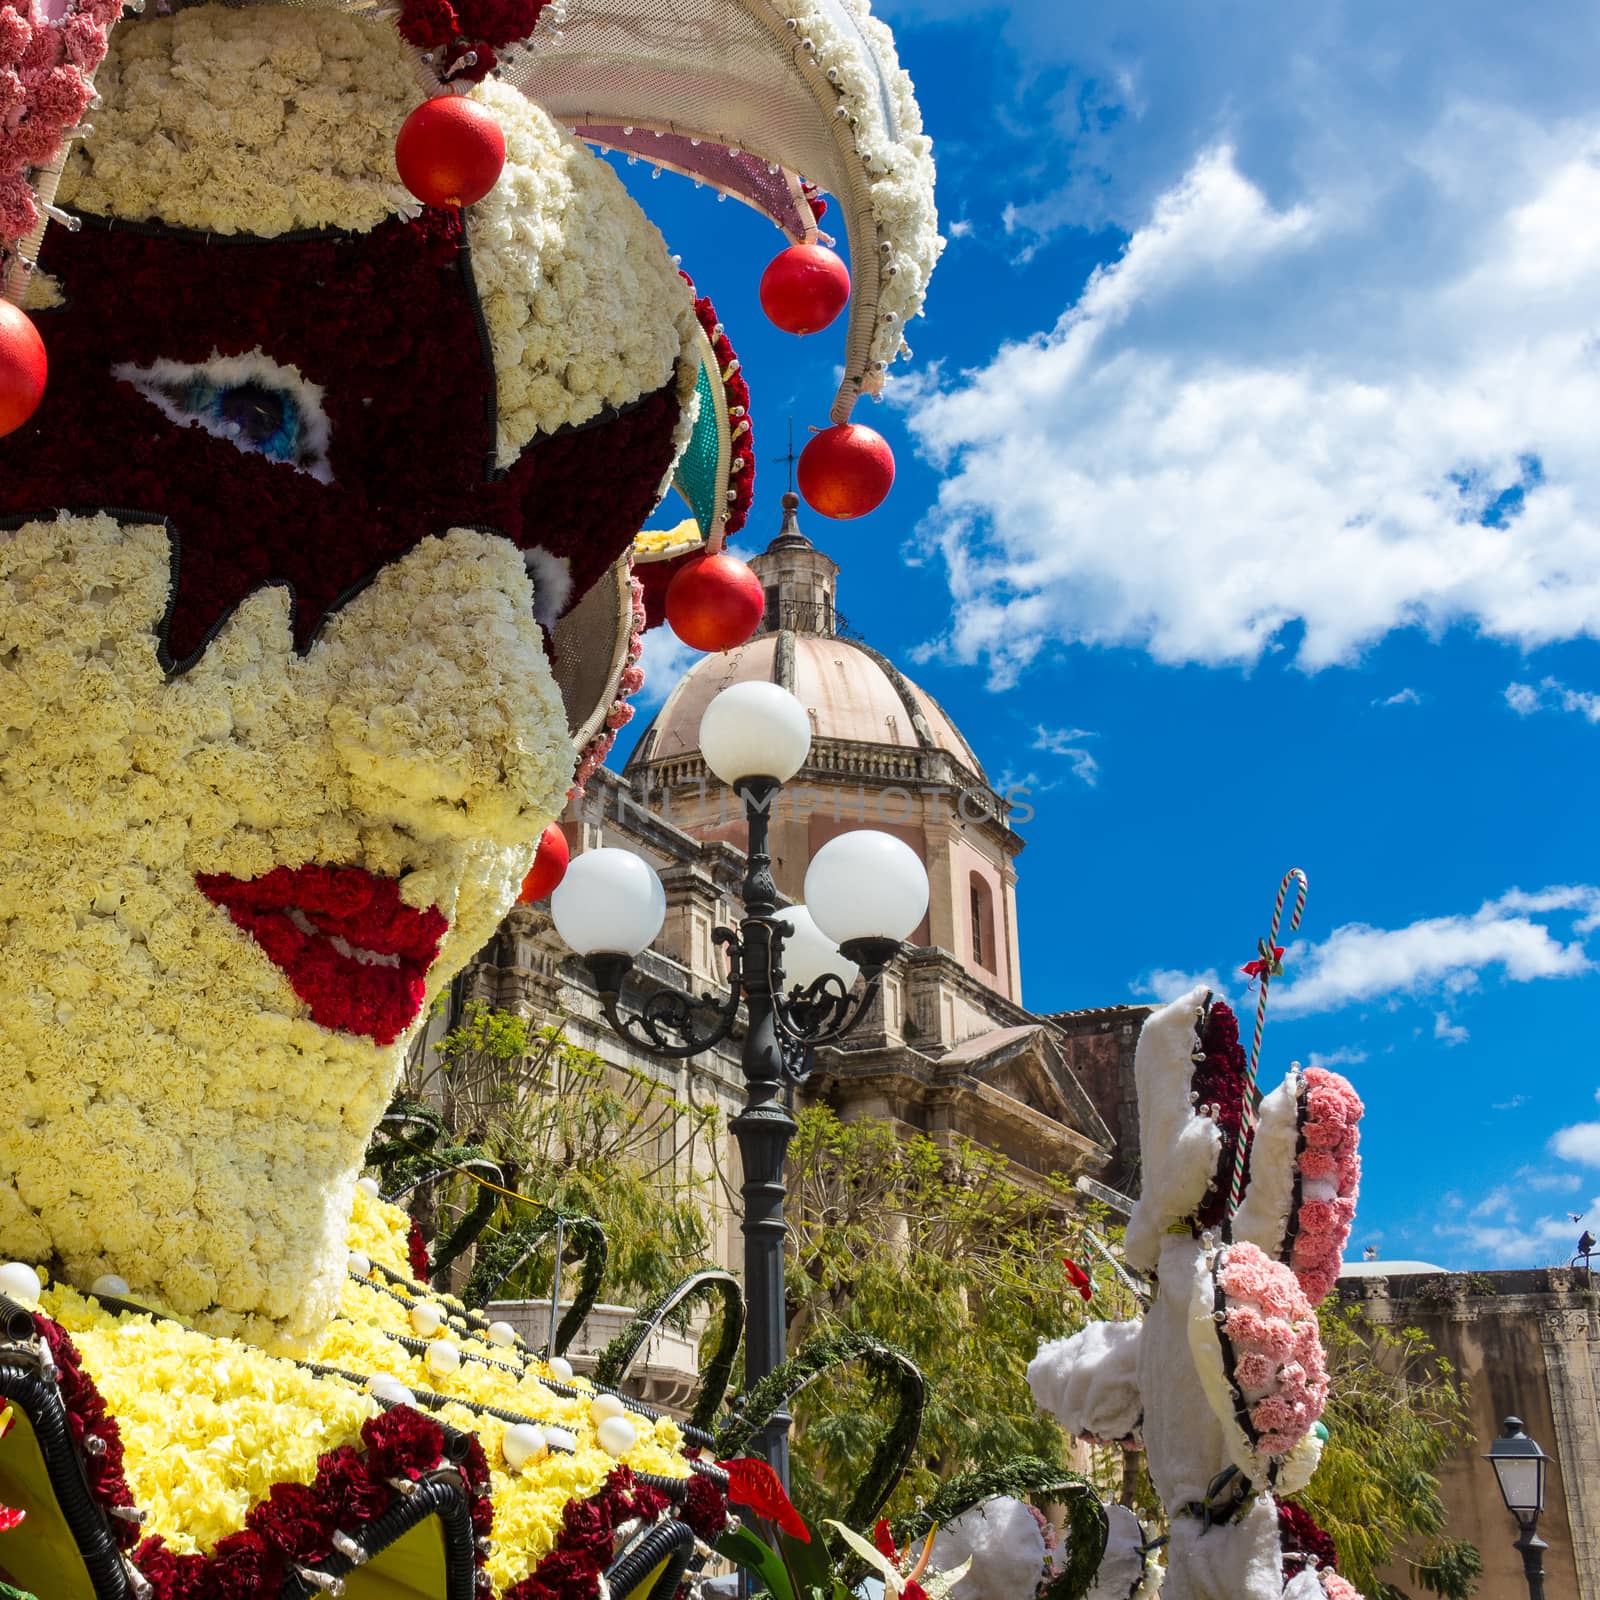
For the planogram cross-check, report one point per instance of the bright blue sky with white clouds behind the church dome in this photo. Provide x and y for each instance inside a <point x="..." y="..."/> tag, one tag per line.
<point x="1249" y="513"/>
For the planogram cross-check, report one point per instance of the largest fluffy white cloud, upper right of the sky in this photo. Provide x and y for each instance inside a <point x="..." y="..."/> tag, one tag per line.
<point x="1271" y="425"/>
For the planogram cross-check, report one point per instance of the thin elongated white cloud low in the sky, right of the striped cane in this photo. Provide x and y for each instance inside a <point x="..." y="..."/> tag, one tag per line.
<point x="1358" y="962"/>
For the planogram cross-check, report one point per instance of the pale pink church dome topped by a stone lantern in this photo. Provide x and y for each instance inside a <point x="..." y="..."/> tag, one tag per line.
<point x="850" y="692"/>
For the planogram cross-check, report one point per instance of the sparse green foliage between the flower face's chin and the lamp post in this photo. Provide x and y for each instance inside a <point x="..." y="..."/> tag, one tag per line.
<point x="569" y="1134"/>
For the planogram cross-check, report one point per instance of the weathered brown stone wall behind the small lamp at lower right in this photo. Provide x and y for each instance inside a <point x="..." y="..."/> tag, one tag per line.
<point x="1529" y="1345"/>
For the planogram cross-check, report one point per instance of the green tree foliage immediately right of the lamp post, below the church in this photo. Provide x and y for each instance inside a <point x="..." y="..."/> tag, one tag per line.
<point x="943" y="1254"/>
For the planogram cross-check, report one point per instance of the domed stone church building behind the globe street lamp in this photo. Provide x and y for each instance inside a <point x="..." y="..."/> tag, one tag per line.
<point x="950" y="1049"/>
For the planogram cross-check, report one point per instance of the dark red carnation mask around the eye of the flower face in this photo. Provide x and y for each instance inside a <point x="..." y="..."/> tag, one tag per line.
<point x="388" y="329"/>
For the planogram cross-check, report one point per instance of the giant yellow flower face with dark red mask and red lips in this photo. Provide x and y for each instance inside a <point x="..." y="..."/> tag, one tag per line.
<point x="228" y="890"/>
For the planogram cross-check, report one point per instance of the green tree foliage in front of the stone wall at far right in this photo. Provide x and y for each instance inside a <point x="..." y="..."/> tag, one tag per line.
<point x="1396" y="1412"/>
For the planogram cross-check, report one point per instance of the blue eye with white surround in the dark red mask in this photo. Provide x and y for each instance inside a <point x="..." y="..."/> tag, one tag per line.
<point x="258" y="406"/>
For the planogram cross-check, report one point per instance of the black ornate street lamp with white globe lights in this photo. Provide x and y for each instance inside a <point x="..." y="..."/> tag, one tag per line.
<point x="866" y="894"/>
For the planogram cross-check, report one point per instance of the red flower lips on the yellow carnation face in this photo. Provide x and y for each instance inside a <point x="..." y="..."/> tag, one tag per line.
<point x="350" y="948"/>
